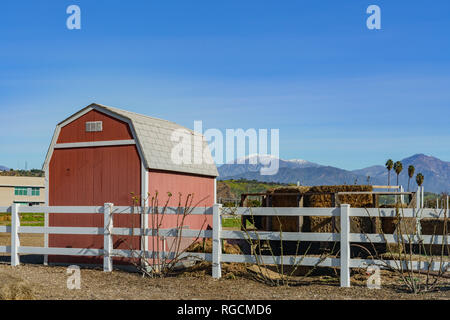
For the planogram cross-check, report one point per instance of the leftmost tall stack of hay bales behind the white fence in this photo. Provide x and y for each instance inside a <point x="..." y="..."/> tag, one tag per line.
<point x="287" y="224"/>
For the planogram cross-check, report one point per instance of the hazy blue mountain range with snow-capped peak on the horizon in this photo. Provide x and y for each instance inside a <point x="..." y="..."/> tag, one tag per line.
<point x="435" y="171"/>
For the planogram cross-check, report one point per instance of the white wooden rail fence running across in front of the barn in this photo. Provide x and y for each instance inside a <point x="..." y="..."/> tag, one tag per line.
<point x="345" y="237"/>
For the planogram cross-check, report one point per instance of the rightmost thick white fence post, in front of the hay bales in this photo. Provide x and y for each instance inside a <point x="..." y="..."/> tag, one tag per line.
<point x="345" y="245"/>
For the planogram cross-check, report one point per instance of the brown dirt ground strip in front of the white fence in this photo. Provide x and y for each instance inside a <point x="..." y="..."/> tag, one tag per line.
<point x="50" y="283"/>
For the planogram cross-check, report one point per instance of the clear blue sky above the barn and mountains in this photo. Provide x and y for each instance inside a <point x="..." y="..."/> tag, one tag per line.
<point x="340" y="94"/>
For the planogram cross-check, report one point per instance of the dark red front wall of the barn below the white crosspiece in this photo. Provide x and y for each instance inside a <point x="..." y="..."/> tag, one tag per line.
<point x="92" y="177"/>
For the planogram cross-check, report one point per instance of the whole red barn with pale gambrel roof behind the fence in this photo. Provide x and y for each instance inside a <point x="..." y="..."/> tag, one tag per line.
<point x="102" y="155"/>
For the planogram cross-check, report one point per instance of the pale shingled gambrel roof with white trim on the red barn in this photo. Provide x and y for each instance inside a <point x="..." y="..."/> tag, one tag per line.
<point x="154" y="140"/>
